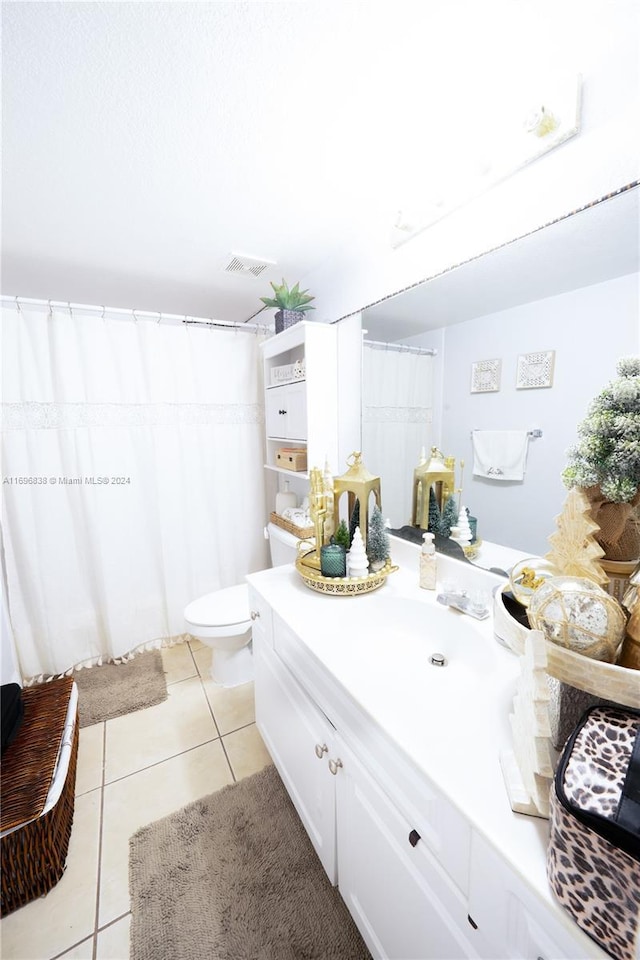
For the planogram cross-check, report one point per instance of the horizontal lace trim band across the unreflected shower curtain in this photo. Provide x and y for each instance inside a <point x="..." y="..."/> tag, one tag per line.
<point x="53" y="416"/>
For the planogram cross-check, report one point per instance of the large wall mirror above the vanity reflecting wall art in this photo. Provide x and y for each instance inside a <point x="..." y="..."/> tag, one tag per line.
<point x="553" y="311"/>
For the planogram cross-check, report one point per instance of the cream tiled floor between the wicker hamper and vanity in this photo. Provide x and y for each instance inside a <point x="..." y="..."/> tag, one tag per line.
<point x="131" y="771"/>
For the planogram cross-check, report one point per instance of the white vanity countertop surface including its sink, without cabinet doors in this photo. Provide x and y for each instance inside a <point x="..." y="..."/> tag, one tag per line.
<point x="450" y="722"/>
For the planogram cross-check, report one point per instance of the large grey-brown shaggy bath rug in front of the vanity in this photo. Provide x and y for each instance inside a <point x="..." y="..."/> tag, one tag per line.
<point x="233" y="876"/>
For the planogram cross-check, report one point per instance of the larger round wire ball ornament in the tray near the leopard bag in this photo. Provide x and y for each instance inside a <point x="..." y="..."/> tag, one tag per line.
<point x="578" y="614"/>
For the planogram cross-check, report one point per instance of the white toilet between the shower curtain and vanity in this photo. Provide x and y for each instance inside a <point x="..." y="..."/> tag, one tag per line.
<point x="222" y="619"/>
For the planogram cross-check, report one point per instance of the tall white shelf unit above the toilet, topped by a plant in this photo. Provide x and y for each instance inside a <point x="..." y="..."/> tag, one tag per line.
<point x="303" y="413"/>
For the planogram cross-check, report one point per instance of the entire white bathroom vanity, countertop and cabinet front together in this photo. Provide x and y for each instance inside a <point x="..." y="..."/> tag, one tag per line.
<point x="403" y="801"/>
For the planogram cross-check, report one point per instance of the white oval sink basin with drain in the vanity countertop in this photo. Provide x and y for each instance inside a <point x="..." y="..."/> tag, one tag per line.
<point x="381" y="648"/>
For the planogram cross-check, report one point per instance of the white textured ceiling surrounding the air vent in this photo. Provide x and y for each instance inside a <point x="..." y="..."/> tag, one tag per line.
<point x="144" y="142"/>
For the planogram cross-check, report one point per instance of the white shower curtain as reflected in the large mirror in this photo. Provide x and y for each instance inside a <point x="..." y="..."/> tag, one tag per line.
<point x="397" y="402"/>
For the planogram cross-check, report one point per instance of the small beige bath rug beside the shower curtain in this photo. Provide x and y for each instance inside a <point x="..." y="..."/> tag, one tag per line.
<point x="118" y="688"/>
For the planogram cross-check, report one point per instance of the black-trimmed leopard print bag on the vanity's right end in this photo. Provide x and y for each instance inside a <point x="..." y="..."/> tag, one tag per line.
<point x="593" y="859"/>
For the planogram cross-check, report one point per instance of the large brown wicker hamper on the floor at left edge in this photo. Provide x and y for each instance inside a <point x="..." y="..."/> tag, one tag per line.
<point x="34" y="855"/>
